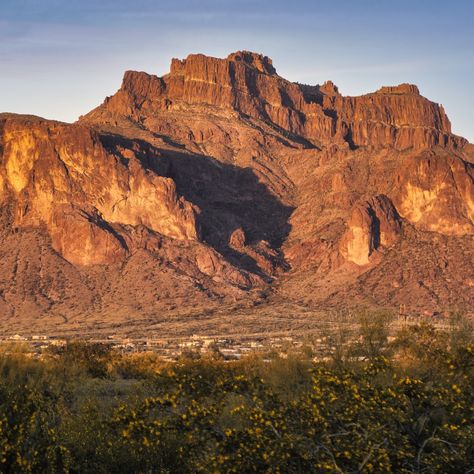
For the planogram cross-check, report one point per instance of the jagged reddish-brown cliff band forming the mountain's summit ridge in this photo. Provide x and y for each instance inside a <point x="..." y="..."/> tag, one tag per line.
<point x="248" y="83"/>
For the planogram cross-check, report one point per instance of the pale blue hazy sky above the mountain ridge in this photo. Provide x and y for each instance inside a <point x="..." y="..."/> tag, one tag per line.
<point x="60" y="58"/>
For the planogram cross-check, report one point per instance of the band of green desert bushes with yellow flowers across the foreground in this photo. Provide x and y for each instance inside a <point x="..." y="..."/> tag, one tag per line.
<point x="375" y="403"/>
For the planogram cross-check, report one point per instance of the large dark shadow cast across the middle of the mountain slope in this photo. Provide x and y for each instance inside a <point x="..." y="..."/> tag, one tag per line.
<point x="230" y="197"/>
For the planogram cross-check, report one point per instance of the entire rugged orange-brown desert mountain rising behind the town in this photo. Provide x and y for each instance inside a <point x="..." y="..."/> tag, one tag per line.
<point x="222" y="185"/>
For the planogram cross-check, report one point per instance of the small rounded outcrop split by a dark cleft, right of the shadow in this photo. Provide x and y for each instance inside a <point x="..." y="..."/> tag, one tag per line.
<point x="373" y="224"/>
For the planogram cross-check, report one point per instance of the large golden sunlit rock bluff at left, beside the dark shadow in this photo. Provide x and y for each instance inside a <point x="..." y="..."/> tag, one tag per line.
<point x="63" y="177"/>
